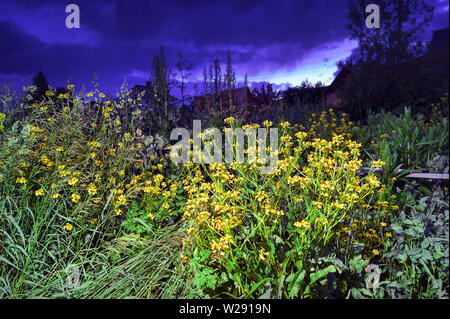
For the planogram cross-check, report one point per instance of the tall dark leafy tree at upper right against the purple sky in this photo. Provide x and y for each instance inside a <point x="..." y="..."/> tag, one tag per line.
<point x="385" y="72"/>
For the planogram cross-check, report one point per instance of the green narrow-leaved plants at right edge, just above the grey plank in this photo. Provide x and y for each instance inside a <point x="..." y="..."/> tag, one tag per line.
<point x="406" y="141"/>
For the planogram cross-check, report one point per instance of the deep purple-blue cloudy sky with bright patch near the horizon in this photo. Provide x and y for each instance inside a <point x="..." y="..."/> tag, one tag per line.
<point x="278" y="41"/>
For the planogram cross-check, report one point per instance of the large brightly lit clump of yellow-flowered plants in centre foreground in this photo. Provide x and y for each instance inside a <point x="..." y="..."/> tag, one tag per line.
<point x="255" y="232"/>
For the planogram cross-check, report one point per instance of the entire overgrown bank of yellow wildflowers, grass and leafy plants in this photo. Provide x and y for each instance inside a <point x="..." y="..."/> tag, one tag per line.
<point x="82" y="187"/>
